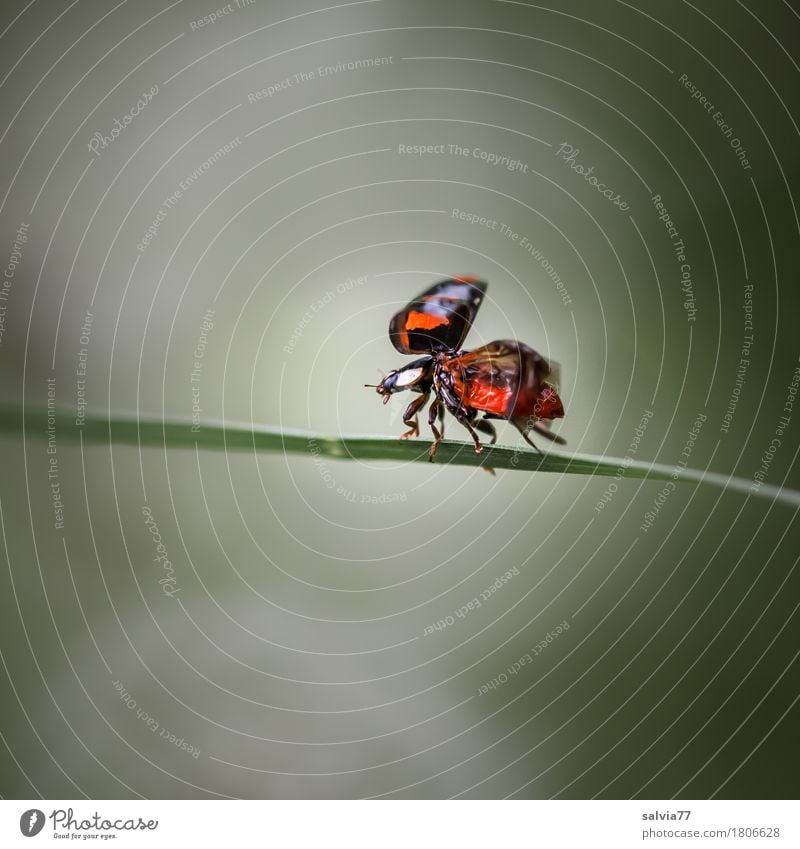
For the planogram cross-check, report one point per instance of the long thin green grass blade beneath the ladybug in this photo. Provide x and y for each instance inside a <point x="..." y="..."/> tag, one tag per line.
<point x="126" y="429"/>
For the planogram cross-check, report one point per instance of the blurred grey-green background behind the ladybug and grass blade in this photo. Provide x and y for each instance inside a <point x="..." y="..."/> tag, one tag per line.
<point x="295" y="656"/>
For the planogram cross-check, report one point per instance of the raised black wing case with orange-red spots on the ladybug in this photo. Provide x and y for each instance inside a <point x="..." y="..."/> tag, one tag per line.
<point x="439" y="318"/>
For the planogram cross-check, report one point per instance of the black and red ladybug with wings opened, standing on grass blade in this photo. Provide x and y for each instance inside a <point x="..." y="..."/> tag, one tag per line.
<point x="502" y="380"/>
